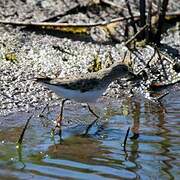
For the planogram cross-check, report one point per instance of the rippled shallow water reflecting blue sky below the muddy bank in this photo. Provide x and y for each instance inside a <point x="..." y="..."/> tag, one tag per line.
<point x="154" y="155"/>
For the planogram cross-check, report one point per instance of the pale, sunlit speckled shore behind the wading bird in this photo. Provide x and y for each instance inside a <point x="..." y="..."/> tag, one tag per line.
<point x="25" y="54"/>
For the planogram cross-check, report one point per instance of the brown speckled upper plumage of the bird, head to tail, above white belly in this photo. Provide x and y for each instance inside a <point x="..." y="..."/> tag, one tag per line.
<point x="96" y="80"/>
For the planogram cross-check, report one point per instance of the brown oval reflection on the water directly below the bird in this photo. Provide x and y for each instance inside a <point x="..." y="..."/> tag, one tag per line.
<point x="79" y="149"/>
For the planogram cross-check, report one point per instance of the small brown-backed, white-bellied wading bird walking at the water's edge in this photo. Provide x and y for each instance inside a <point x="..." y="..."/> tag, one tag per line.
<point x="86" y="89"/>
